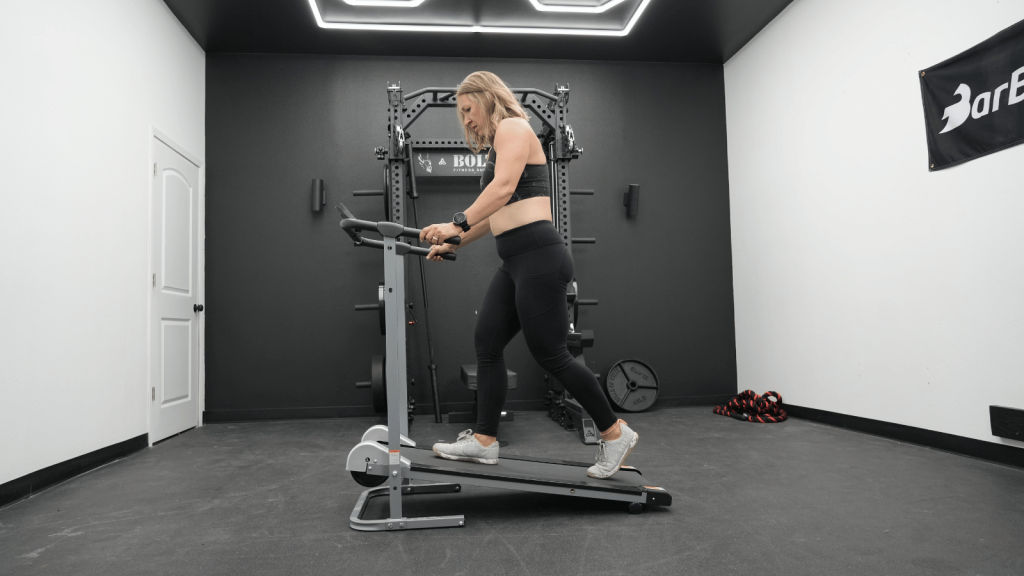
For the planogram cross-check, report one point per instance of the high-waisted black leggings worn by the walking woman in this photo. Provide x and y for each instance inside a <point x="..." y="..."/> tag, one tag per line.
<point x="529" y="294"/>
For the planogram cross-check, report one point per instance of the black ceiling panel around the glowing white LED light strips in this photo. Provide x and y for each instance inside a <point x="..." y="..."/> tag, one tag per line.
<point x="678" y="31"/>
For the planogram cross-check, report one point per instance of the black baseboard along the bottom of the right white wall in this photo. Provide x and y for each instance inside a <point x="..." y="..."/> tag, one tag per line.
<point x="999" y="454"/>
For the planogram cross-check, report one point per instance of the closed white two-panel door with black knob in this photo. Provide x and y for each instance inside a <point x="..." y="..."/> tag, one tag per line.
<point x="175" y="321"/>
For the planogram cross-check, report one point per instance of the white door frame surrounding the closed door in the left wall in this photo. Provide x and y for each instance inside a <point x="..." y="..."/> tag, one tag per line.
<point x="157" y="135"/>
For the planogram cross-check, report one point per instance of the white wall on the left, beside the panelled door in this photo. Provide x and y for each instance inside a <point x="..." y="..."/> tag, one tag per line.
<point x="81" y="85"/>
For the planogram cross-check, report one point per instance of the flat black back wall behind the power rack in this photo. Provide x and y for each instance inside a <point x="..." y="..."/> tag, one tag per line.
<point x="283" y="340"/>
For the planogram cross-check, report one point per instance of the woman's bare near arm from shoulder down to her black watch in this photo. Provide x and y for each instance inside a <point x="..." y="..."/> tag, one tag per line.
<point x="513" y="139"/>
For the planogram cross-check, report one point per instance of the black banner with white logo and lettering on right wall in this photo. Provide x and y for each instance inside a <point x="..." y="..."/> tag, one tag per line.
<point x="974" y="102"/>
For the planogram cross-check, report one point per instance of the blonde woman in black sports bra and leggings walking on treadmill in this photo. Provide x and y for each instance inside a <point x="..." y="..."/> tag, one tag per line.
<point x="529" y="291"/>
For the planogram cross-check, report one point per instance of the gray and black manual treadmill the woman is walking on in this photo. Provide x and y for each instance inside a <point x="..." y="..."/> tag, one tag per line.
<point x="387" y="454"/>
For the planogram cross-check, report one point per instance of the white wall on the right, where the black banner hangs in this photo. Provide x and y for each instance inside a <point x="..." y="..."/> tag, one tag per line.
<point x="866" y="285"/>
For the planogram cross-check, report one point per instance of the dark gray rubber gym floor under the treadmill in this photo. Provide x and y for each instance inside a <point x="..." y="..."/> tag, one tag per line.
<point x="790" y="499"/>
